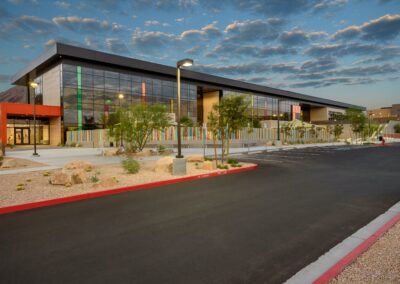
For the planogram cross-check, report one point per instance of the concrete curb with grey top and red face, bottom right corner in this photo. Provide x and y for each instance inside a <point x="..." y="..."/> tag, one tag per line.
<point x="336" y="259"/>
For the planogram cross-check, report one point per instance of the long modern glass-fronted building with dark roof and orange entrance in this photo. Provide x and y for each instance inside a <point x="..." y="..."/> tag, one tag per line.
<point x="77" y="87"/>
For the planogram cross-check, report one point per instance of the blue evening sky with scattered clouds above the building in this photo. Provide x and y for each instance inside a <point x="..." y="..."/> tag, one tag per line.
<point x="344" y="50"/>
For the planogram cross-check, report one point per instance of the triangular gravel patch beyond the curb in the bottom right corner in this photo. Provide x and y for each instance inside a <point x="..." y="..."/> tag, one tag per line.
<point x="379" y="264"/>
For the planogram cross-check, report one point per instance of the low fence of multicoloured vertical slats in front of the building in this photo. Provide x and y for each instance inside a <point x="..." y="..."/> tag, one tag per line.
<point x="195" y="136"/>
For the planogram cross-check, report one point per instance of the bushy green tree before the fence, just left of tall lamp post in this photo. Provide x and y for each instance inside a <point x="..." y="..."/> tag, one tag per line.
<point x="138" y="121"/>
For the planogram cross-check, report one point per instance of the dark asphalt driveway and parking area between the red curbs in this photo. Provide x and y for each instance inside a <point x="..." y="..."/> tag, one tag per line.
<point x="260" y="226"/>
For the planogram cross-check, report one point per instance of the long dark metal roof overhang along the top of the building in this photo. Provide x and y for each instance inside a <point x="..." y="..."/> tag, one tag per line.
<point x="59" y="51"/>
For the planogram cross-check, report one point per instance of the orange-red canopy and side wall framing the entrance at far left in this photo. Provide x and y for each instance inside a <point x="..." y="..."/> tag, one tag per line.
<point x="24" y="110"/>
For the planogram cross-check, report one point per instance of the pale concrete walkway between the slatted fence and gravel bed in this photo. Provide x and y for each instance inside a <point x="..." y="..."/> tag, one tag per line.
<point x="57" y="158"/>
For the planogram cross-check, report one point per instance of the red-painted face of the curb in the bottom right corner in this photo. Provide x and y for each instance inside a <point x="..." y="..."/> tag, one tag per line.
<point x="351" y="256"/>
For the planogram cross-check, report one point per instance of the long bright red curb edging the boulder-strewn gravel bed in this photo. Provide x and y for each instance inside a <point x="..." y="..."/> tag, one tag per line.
<point x="32" y="205"/>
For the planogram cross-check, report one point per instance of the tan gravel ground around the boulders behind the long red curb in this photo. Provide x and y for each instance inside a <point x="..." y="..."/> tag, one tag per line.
<point x="37" y="187"/>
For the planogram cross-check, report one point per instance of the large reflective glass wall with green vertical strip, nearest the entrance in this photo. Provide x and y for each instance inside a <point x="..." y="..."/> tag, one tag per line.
<point x="88" y="94"/>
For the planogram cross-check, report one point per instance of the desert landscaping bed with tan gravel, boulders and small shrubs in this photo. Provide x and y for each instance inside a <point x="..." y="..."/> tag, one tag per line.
<point x="78" y="177"/>
